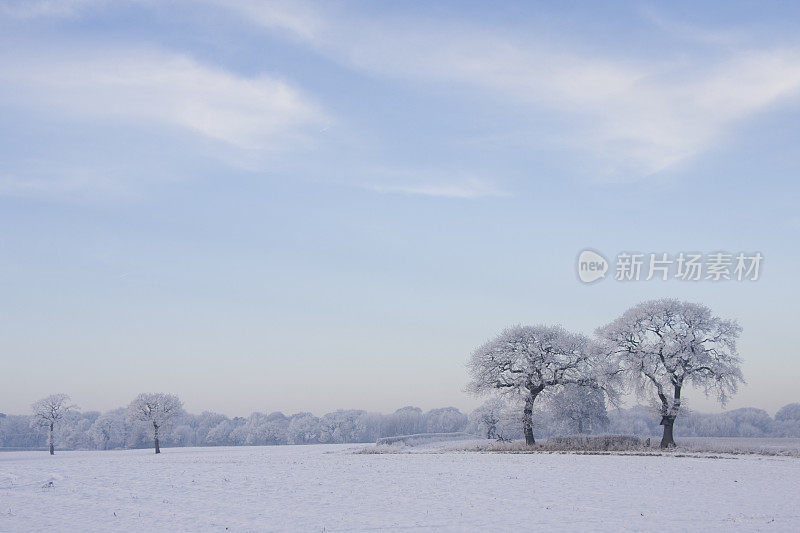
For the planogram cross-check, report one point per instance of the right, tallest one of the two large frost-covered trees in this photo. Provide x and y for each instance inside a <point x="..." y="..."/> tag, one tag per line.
<point x="664" y="345"/>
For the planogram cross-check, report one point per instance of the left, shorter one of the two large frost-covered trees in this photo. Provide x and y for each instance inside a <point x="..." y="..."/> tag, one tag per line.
<point x="524" y="361"/>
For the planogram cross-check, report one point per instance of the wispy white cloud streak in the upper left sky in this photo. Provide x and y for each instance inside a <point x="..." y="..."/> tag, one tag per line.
<point x="167" y="89"/>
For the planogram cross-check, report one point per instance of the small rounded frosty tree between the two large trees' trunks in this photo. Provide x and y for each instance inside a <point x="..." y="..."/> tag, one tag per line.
<point x="576" y="409"/>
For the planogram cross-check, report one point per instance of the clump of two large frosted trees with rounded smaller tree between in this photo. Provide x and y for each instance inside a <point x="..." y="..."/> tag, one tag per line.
<point x="656" y="348"/>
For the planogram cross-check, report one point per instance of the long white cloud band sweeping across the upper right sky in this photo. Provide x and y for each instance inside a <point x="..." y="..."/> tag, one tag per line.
<point x="641" y="117"/>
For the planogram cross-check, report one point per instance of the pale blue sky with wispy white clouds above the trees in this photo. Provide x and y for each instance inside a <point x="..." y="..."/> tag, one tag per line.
<point x="296" y="206"/>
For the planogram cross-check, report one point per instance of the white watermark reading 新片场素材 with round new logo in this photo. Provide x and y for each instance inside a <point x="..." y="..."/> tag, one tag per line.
<point x="684" y="266"/>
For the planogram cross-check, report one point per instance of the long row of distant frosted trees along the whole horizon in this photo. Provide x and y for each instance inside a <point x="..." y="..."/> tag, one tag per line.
<point x="116" y="429"/>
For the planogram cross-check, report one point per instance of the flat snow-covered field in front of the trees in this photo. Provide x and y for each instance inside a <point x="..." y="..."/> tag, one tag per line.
<point x="329" y="488"/>
